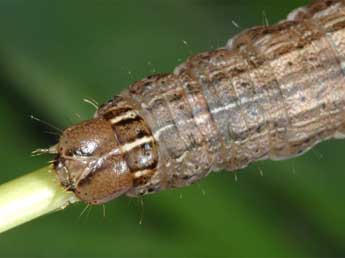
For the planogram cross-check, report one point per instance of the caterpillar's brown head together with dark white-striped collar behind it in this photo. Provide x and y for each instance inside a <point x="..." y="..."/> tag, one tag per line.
<point x="105" y="157"/>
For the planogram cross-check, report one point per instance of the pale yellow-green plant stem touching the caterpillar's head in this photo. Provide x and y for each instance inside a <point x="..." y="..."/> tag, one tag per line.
<point x="31" y="196"/>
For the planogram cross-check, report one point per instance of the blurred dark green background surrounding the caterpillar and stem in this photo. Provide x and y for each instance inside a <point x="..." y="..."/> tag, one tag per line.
<point x="55" y="53"/>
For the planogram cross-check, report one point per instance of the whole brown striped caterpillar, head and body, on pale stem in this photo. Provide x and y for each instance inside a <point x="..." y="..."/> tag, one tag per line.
<point x="272" y="92"/>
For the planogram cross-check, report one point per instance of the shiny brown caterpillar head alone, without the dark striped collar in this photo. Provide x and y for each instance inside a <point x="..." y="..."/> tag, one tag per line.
<point x="90" y="162"/>
